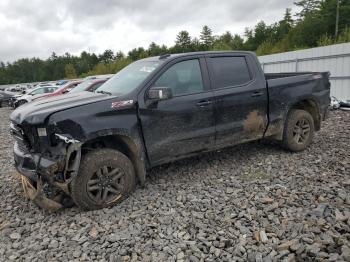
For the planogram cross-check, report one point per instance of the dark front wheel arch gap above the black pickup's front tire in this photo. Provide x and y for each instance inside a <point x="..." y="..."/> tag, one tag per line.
<point x="125" y="145"/>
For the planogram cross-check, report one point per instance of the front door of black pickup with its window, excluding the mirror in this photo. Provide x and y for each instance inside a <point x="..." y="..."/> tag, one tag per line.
<point x="184" y="124"/>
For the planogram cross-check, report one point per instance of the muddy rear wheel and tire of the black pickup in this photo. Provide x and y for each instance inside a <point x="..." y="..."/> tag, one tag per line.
<point x="298" y="131"/>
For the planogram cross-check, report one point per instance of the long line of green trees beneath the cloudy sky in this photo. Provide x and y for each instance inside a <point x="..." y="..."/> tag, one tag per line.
<point x="315" y="26"/>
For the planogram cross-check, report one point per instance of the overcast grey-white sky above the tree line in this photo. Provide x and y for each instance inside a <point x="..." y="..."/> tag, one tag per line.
<point x="36" y="28"/>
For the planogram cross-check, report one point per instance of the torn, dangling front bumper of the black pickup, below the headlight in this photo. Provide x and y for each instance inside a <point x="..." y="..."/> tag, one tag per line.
<point x="38" y="170"/>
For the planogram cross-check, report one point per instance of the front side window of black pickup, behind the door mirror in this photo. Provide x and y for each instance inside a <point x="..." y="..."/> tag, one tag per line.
<point x="183" y="78"/>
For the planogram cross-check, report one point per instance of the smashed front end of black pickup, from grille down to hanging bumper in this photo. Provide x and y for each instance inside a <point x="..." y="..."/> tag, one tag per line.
<point x="46" y="167"/>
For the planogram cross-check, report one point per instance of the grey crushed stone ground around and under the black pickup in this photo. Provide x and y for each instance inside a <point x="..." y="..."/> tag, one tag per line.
<point x="253" y="202"/>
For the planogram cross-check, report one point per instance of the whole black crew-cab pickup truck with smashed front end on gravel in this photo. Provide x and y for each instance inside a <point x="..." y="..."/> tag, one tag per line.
<point x="95" y="147"/>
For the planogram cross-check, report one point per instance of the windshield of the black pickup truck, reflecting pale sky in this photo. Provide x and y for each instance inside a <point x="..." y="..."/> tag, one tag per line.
<point x="129" y="78"/>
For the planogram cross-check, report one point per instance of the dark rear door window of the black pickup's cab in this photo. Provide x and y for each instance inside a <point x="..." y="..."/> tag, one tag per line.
<point x="230" y="71"/>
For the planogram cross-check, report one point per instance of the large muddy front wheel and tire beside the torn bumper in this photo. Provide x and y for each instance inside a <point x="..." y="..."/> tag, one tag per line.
<point x="101" y="171"/>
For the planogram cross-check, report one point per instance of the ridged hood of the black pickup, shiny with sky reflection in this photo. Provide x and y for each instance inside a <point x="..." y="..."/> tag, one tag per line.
<point x="37" y="111"/>
